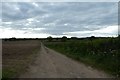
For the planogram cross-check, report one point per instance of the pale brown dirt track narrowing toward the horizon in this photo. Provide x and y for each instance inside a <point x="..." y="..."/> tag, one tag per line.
<point x="51" y="64"/>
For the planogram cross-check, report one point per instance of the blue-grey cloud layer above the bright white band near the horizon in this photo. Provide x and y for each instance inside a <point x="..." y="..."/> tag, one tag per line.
<point x="80" y="16"/>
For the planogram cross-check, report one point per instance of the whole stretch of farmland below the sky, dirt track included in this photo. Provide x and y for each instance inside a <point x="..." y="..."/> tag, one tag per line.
<point x="68" y="57"/>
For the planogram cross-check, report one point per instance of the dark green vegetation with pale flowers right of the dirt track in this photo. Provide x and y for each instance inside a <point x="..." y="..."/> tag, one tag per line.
<point x="102" y="53"/>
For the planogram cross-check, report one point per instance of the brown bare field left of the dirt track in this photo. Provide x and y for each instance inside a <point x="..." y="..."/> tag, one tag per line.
<point x="17" y="56"/>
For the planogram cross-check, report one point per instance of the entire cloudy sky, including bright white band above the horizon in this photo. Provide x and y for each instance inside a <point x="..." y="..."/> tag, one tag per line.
<point x="56" y="19"/>
